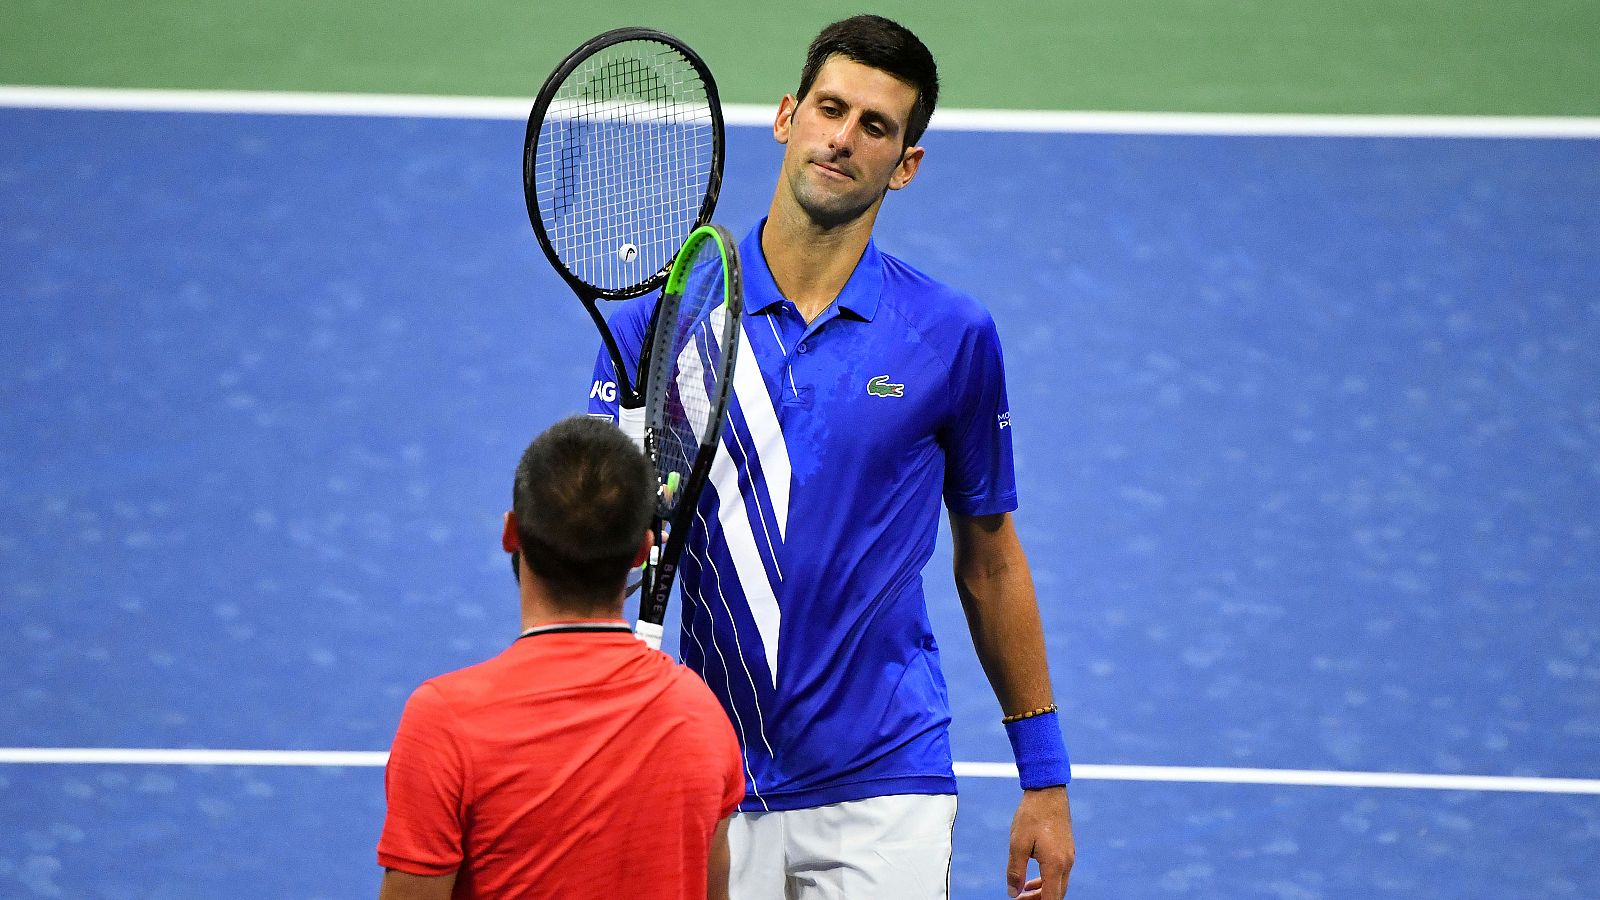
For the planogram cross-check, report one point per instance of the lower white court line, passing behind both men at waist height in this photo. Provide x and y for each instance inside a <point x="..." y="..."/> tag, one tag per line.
<point x="1084" y="773"/>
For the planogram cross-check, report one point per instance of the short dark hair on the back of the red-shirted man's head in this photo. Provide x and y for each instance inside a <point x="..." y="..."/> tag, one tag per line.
<point x="583" y="499"/>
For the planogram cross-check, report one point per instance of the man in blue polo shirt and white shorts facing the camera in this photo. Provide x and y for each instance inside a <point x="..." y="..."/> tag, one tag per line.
<point x="866" y="393"/>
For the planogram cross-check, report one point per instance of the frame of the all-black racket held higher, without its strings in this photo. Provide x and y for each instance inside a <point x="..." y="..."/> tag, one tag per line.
<point x="630" y="395"/>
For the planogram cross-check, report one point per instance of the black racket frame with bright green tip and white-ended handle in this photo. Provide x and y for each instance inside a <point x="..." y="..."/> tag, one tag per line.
<point x="673" y="526"/>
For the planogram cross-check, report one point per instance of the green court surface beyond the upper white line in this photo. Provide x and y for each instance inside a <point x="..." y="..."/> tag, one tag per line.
<point x="1359" y="57"/>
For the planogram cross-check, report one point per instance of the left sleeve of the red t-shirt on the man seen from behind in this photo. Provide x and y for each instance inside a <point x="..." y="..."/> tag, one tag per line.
<point x="425" y="785"/>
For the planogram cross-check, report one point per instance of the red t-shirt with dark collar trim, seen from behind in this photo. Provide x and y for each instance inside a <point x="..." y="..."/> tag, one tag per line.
<point x="574" y="765"/>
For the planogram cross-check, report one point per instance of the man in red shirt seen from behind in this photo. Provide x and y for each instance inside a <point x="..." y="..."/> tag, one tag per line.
<point x="578" y="763"/>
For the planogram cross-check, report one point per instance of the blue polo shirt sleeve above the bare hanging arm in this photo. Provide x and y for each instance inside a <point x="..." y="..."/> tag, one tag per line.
<point x="980" y="478"/>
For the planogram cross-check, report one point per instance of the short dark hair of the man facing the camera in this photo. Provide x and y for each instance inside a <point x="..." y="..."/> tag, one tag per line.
<point x="882" y="44"/>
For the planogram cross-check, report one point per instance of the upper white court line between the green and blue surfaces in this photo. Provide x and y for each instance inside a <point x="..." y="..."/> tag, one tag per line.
<point x="762" y="116"/>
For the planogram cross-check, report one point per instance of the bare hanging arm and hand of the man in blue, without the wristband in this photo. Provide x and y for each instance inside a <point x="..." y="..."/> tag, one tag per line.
<point x="1002" y="613"/>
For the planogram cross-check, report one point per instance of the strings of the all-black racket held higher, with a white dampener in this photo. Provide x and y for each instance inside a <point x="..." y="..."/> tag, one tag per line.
<point x="623" y="163"/>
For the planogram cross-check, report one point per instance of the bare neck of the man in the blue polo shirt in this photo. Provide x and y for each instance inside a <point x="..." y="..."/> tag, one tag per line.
<point x="812" y="263"/>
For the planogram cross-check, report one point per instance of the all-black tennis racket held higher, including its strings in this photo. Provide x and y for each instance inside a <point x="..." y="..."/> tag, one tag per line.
<point x="622" y="163"/>
